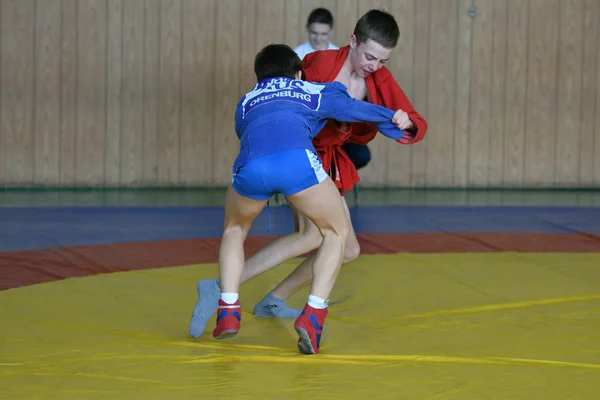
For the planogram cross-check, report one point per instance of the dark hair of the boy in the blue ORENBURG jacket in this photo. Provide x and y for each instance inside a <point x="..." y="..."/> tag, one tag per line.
<point x="276" y="60"/>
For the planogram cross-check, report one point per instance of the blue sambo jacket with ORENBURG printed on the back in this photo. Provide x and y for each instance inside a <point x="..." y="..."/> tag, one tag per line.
<point x="282" y="113"/>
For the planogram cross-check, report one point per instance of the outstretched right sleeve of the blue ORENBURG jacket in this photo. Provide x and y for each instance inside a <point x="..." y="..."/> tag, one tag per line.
<point x="339" y="105"/>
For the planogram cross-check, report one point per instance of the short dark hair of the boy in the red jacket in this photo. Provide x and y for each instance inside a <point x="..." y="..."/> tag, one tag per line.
<point x="379" y="26"/>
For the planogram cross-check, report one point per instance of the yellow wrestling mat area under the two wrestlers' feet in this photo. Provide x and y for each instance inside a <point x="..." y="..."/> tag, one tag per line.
<point x="475" y="326"/>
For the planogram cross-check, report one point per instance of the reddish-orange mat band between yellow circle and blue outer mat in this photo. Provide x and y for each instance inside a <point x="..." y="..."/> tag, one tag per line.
<point x="22" y="268"/>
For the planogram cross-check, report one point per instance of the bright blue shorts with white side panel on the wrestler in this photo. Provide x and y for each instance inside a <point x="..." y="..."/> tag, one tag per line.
<point x="286" y="171"/>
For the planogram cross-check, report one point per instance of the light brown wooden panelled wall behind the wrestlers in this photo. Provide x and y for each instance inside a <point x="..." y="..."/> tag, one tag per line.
<point x="143" y="92"/>
